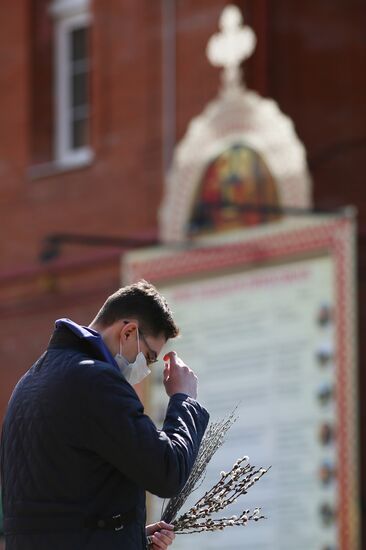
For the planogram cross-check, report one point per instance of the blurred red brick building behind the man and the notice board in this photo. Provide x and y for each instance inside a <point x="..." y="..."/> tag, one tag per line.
<point x="95" y="95"/>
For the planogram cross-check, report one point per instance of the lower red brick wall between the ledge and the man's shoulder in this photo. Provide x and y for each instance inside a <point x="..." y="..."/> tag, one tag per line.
<point x="31" y="303"/>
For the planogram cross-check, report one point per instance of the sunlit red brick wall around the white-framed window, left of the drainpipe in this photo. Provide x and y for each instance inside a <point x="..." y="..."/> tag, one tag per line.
<point x="109" y="196"/>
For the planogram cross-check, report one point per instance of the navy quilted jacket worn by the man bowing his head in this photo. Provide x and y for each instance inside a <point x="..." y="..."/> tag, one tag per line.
<point x="76" y="445"/>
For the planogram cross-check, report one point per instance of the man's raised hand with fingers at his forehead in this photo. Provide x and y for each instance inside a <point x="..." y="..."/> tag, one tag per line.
<point x="178" y="378"/>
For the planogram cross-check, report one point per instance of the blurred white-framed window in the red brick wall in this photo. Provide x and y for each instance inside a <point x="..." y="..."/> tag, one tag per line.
<point x="72" y="72"/>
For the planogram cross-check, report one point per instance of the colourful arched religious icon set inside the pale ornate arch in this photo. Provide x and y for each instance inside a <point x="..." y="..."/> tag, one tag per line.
<point x="237" y="189"/>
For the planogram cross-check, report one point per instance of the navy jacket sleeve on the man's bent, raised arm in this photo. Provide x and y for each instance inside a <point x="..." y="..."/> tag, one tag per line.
<point x="118" y="430"/>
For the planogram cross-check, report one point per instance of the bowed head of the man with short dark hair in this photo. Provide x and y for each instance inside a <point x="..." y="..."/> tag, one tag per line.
<point x="136" y="316"/>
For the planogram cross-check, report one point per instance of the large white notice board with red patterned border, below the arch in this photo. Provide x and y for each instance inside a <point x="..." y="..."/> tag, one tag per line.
<point x="267" y="319"/>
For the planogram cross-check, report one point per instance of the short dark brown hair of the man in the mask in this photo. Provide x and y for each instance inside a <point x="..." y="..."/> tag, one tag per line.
<point x="143" y="302"/>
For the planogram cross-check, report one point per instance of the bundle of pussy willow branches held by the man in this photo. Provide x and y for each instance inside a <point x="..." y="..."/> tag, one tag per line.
<point x="231" y="485"/>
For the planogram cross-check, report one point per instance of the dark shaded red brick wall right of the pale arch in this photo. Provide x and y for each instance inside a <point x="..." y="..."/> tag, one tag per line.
<point x="316" y="63"/>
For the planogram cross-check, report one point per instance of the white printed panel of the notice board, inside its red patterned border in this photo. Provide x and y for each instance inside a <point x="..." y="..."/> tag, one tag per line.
<point x="265" y="339"/>
